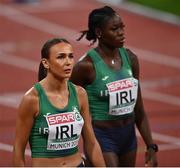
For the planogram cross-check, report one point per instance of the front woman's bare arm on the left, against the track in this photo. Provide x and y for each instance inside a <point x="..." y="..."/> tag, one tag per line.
<point x="27" y="111"/>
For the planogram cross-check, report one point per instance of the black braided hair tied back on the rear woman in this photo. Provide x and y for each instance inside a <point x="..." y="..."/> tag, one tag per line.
<point x="97" y="18"/>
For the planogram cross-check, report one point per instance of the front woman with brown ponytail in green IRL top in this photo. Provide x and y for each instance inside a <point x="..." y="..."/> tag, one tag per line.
<point x="54" y="113"/>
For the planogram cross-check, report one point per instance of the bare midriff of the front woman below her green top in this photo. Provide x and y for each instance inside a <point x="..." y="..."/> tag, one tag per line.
<point x="67" y="161"/>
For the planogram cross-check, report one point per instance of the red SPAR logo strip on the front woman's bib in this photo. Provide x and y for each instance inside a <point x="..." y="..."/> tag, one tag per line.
<point x="61" y="118"/>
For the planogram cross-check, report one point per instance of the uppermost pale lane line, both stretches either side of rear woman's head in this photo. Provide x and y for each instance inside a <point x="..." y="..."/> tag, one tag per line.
<point x="55" y="29"/>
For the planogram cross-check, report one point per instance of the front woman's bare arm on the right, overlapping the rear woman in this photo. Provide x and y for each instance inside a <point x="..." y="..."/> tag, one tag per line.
<point x="91" y="145"/>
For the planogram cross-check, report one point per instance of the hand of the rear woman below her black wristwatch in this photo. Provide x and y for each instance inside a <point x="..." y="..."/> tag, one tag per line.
<point x="150" y="158"/>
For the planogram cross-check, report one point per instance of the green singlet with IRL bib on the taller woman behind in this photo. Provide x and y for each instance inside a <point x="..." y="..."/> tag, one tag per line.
<point x="113" y="93"/>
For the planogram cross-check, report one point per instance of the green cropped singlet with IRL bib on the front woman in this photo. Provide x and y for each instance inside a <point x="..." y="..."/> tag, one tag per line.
<point x="56" y="132"/>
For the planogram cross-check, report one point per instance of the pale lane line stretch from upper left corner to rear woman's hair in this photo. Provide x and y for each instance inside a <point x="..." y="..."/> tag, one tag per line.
<point x="39" y="24"/>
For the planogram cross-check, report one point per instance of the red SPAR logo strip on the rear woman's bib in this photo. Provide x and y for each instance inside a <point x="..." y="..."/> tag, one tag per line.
<point x="119" y="85"/>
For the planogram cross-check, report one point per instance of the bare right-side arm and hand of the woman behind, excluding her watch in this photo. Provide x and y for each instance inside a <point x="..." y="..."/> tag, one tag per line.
<point x="141" y="118"/>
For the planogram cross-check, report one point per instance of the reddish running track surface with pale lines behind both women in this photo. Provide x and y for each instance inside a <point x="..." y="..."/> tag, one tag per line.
<point x="24" y="29"/>
